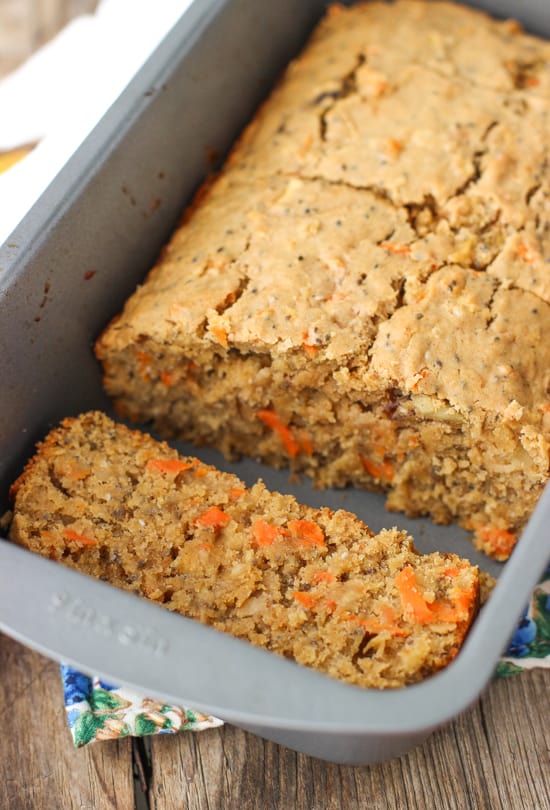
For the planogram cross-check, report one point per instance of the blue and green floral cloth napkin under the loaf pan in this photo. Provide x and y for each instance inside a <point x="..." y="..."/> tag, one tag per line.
<point x="97" y="710"/>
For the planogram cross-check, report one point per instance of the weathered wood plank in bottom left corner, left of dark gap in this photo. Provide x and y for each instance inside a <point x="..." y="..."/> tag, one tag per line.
<point x="39" y="767"/>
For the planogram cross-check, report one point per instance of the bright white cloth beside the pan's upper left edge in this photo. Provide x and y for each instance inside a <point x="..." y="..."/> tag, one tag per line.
<point x="61" y="92"/>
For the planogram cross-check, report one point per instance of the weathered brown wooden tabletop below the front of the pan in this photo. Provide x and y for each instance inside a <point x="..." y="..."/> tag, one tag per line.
<point x="496" y="756"/>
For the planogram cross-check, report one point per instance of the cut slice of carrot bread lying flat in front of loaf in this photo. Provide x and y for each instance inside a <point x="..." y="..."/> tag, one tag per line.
<point x="314" y="585"/>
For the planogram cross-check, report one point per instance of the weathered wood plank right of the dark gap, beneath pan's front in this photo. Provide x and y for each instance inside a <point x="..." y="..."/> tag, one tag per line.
<point x="494" y="757"/>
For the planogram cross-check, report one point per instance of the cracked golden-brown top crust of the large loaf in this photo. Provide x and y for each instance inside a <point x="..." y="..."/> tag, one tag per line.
<point x="389" y="204"/>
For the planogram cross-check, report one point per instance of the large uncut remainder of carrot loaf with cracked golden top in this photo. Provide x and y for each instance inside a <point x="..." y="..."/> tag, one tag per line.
<point x="364" y="292"/>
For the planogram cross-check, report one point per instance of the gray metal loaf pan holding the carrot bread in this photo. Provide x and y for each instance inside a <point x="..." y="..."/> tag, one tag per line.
<point x="64" y="273"/>
